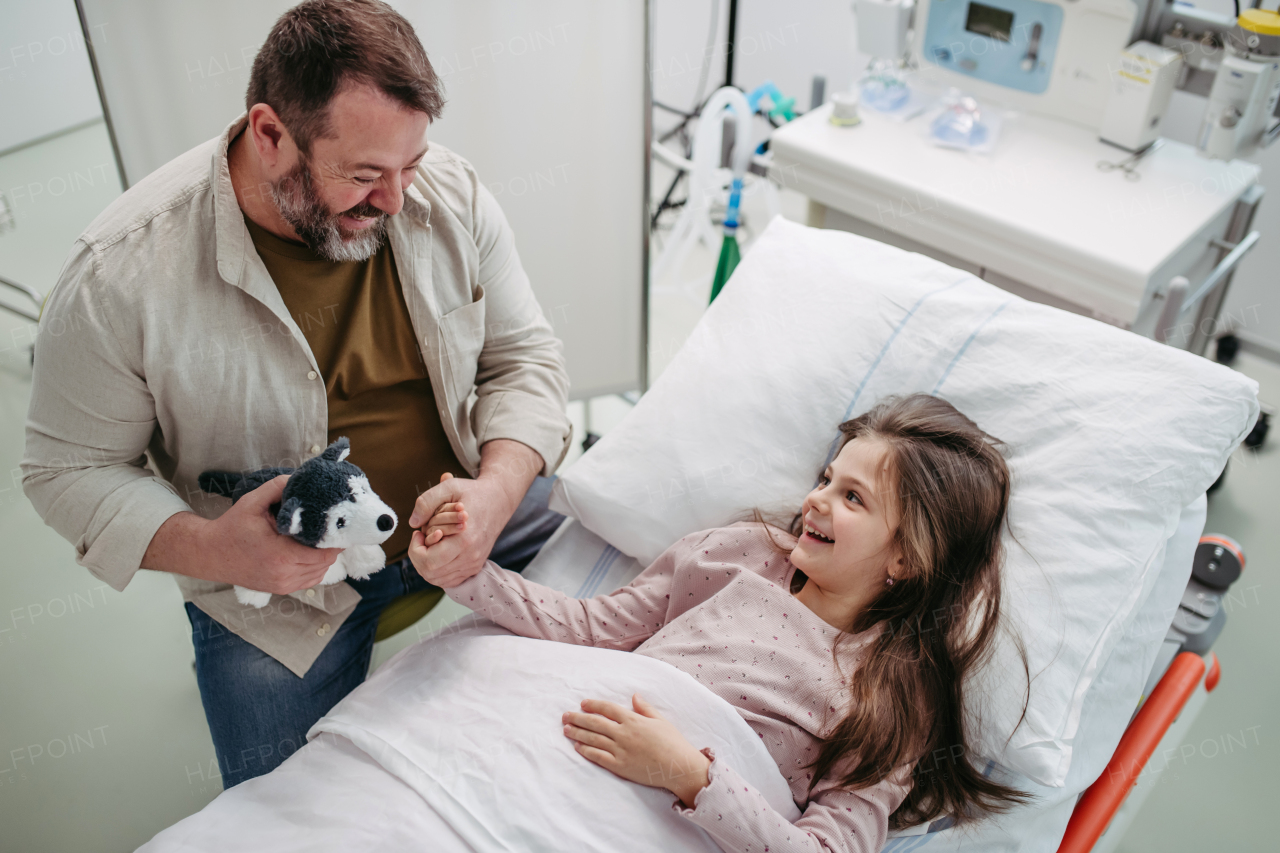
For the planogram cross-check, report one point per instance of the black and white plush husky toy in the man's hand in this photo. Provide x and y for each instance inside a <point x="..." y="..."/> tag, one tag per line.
<point x="327" y="504"/>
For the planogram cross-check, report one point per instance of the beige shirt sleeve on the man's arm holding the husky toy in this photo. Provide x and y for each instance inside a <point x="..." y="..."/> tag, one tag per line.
<point x="89" y="425"/>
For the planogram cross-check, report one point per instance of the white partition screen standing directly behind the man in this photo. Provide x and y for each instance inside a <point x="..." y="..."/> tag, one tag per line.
<point x="547" y="101"/>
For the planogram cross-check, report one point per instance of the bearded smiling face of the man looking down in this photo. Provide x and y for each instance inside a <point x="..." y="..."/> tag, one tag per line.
<point x="339" y="197"/>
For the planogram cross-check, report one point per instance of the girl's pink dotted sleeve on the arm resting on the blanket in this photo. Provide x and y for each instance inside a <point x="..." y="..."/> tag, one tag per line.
<point x="836" y="820"/>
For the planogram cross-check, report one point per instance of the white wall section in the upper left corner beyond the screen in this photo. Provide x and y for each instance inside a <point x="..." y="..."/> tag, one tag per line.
<point x="47" y="84"/>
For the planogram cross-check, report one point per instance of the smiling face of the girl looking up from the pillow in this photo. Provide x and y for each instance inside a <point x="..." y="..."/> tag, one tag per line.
<point x="847" y="546"/>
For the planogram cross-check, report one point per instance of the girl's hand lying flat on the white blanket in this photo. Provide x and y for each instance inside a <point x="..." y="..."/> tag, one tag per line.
<point x="639" y="746"/>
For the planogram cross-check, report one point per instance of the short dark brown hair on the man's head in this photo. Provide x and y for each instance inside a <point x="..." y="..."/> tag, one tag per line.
<point x="318" y="47"/>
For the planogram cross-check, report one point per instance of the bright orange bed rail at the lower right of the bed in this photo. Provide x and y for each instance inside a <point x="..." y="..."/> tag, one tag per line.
<point x="1099" y="805"/>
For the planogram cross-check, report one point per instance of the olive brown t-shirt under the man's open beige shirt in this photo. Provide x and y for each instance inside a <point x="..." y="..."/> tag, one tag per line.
<point x="355" y="318"/>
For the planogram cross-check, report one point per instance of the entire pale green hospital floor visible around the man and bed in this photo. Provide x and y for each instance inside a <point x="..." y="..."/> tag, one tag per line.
<point x="103" y="740"/>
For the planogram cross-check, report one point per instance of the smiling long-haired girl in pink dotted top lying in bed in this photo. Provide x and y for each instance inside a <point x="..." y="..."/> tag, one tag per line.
<point x="844" y="645"/>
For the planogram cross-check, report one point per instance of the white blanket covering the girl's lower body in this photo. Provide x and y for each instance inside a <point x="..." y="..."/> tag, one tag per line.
<point x="459" y="746"/>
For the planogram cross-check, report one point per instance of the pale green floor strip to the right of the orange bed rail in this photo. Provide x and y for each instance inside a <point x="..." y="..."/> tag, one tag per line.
<point x="1215" y="795"/>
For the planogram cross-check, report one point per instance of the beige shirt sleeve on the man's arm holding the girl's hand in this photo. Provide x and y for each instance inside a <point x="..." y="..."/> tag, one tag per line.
<point x="522" y="382"/>
